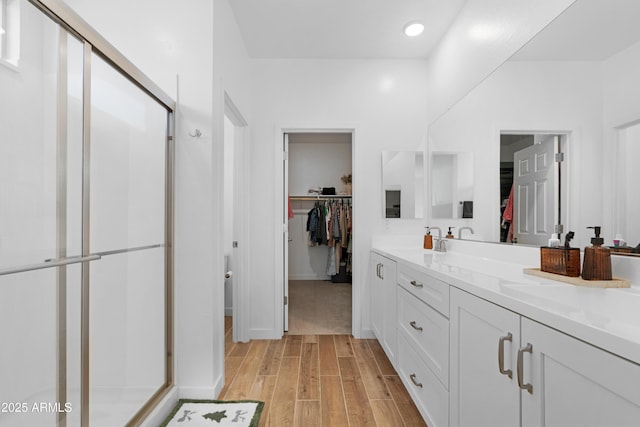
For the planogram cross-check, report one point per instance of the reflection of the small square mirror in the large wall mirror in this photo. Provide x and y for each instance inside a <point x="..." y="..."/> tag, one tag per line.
<point x="451" y="185"/>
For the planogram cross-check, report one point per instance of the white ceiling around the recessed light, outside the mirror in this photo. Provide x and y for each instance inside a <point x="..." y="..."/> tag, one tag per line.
<point x="341" y="29"/>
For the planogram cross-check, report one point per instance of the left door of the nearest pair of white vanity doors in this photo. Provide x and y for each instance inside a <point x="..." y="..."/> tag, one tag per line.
<point x="480" y="395"/>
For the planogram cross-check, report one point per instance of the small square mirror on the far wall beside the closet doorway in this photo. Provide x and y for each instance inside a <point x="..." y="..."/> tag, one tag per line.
<point x="403" y="184"/>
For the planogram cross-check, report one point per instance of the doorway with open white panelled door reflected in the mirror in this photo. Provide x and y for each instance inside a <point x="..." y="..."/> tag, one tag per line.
<point x="530" y="188"/>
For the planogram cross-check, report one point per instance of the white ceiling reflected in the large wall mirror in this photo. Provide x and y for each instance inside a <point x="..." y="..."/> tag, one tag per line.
<point x="589" y="30"/>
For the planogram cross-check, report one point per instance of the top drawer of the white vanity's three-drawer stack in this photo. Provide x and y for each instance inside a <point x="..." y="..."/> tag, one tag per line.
<point x="430" y="290"/>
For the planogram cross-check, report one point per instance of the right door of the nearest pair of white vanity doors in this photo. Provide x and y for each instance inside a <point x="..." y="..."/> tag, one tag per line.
<point x="576" y="384"/>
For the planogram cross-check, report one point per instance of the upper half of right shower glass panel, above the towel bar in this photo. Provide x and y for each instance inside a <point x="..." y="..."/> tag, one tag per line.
<point x="128" y="136"/>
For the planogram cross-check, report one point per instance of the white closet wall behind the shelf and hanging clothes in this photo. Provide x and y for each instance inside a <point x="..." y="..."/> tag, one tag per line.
<point x="316" y="160"/>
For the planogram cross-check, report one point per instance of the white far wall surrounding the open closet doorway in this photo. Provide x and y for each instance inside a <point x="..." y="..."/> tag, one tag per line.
<point x="384" y="101"/>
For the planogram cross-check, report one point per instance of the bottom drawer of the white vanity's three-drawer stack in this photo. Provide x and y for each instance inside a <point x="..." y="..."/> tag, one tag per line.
<point x="429" y="395"/>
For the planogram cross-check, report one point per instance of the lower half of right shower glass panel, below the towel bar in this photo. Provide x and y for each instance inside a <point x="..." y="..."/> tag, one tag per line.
<point x="127" y="346"/>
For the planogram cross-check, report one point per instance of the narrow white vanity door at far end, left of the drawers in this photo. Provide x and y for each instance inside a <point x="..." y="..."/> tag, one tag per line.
<point x="383" y="294"/>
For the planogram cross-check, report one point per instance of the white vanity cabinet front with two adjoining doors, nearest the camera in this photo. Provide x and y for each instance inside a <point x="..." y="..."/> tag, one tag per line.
<point x="508" y="370"/>
